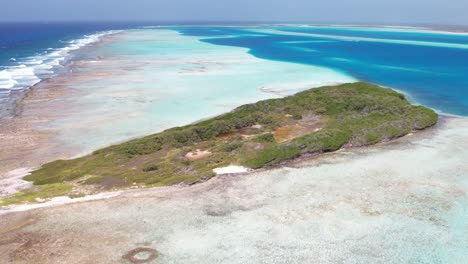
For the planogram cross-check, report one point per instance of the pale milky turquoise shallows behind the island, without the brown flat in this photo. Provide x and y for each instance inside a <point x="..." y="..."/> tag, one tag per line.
<point x="150" y="80"/>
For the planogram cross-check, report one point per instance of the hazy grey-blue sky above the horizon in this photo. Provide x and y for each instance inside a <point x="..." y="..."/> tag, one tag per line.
<point x="326" y="11"/>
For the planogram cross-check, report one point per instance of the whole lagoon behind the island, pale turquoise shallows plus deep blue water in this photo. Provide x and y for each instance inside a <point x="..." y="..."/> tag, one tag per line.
<point x="146" y="80"/>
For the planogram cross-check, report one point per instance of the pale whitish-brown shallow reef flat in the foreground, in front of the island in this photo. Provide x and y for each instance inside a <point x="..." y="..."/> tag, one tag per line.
<point x="401" y="202"/>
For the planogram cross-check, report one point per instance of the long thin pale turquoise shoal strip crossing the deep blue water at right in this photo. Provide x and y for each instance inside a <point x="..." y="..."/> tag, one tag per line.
<point x="348" y="38"/>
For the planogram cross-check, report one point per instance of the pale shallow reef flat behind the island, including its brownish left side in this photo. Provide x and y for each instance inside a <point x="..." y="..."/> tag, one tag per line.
<point x="140" y="82"/>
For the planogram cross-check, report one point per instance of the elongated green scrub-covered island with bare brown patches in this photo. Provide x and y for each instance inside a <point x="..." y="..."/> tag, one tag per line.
<point x="258" y="135"/>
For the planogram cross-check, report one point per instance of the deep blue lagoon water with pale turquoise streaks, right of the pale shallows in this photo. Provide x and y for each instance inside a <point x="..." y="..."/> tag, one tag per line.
<point x="429" y="66"/>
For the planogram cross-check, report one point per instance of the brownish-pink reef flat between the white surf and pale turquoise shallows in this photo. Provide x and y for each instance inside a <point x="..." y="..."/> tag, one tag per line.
<point x="23" y="144"/>
